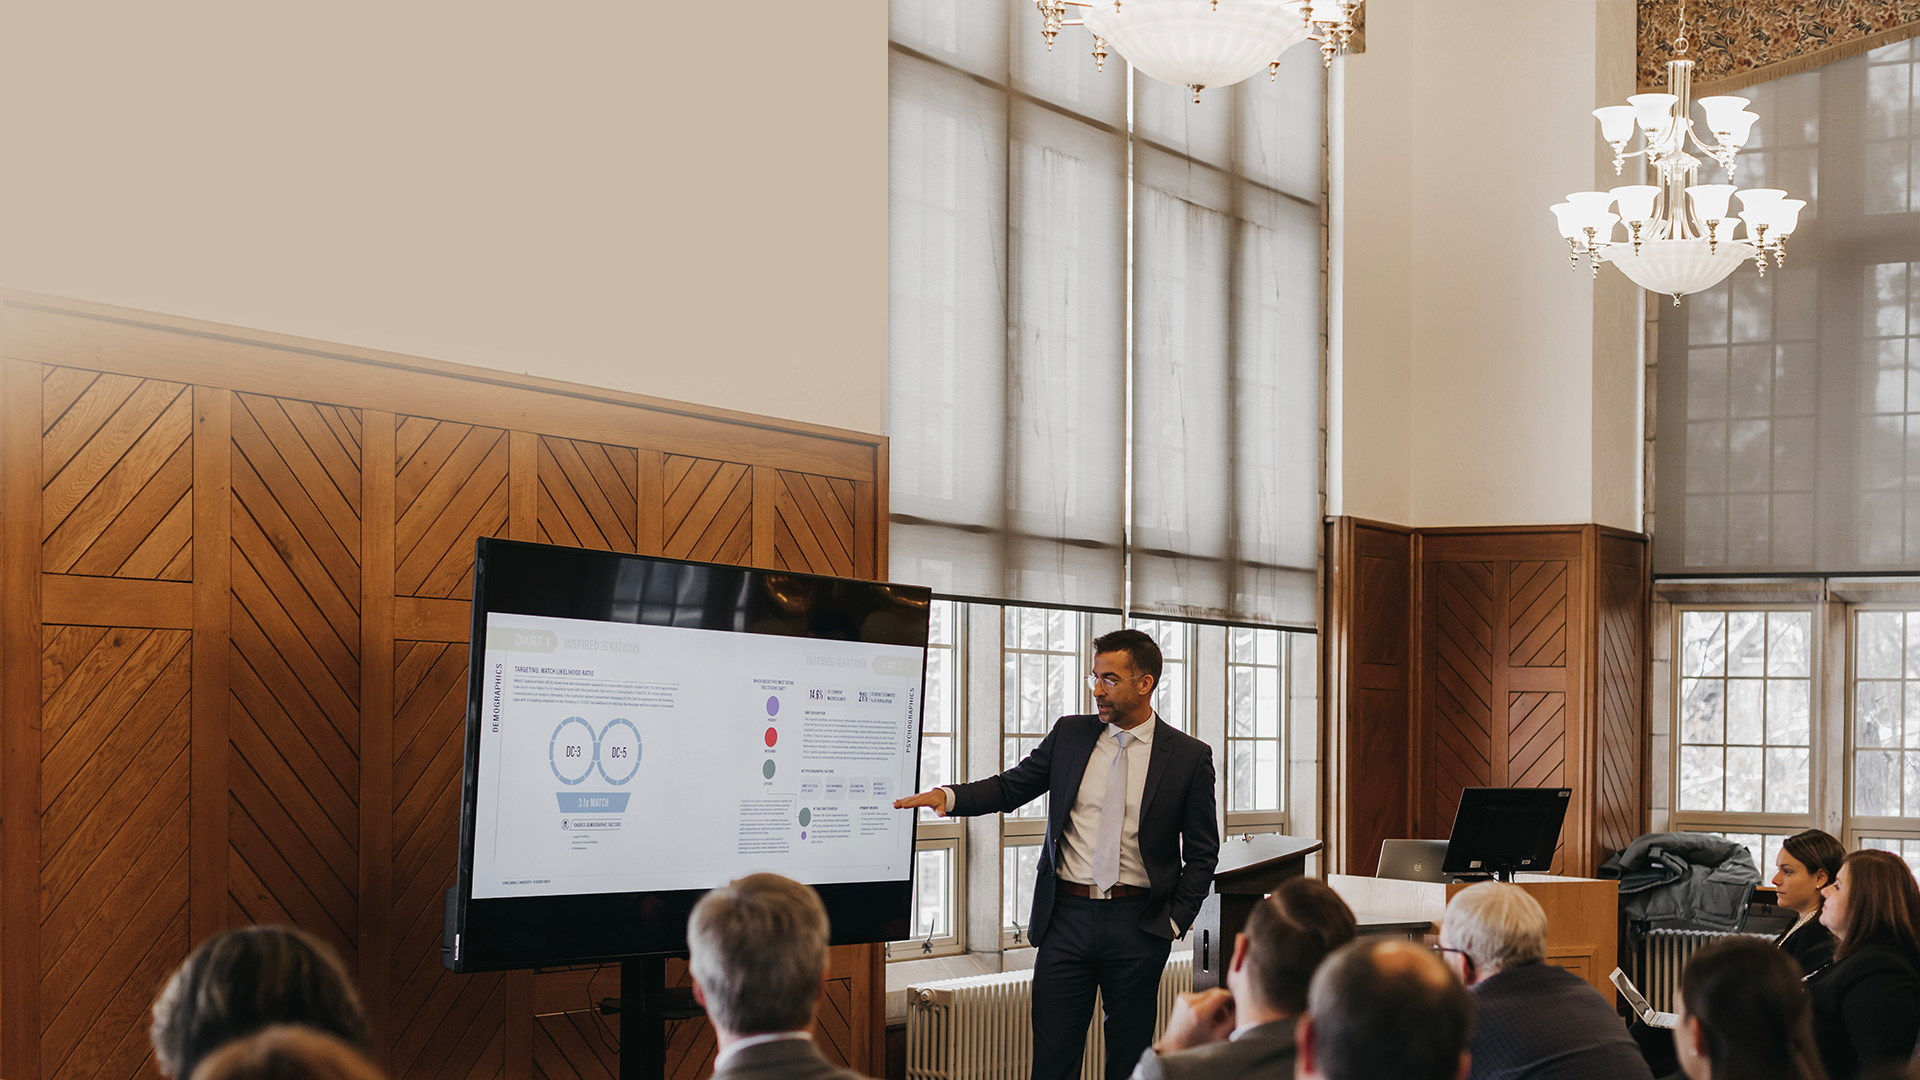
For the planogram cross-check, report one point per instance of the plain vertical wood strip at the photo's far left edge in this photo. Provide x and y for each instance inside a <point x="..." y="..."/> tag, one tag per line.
<point x="20" y="720"/>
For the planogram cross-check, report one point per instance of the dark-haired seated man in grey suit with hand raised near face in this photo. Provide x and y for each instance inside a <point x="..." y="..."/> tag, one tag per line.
<point x="1247" y="1029"/>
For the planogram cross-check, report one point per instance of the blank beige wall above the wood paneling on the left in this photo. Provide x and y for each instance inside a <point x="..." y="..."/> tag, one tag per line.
<point x="684" y="201"/>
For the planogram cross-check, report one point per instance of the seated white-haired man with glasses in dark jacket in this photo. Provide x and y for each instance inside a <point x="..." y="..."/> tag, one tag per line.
<point x="1537" y="1021"/>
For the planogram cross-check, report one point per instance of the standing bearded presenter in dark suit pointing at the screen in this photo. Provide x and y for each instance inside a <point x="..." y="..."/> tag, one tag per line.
<point x="1128" y="858"/>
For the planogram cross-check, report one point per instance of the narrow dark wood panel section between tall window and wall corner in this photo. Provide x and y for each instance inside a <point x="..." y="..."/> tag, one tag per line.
<point x="1368" y="683"/>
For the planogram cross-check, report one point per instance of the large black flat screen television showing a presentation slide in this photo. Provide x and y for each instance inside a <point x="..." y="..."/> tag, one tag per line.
<point x="640" y="731"/>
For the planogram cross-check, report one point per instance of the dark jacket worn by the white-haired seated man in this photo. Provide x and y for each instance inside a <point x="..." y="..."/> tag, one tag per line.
<point x="1547" y="1023"/>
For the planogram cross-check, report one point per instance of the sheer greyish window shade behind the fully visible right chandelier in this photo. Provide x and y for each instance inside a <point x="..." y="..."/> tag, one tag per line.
<point x="1788" y="406"/>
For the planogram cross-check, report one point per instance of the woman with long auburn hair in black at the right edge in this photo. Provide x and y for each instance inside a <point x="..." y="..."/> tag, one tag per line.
<point x="1867" y="1002"/>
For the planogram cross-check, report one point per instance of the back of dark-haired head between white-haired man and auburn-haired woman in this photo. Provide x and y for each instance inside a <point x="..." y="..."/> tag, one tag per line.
<point x="1744" y="1016"/>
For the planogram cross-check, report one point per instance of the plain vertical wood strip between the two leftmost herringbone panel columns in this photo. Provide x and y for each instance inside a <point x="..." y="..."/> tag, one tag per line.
<point x="212" y="660"/>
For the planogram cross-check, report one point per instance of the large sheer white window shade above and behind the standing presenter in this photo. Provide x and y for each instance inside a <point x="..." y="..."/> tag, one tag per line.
<point x="1009" y="316"/>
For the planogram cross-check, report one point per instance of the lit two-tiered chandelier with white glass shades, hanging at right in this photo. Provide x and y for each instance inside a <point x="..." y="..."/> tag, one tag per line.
<point x="1679" y="233"/>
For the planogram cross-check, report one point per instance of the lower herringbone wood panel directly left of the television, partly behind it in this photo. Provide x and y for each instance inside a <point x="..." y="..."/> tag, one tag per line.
<point x="444" y="1025"/>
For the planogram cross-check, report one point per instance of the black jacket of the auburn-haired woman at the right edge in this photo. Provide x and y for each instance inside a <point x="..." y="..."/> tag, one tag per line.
<point x="1865" y="1012"/>
